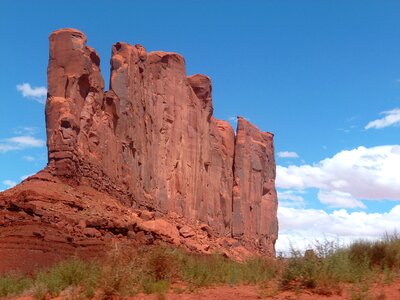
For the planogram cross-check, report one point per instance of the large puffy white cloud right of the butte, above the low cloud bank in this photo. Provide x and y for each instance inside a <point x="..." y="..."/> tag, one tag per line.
<point x="363" y="173"/>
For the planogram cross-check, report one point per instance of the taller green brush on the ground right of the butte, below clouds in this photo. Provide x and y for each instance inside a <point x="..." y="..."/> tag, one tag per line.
<point x="324" y="268"/>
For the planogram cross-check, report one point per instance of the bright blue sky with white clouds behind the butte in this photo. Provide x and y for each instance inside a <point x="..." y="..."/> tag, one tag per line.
<point x="323" y="76"/>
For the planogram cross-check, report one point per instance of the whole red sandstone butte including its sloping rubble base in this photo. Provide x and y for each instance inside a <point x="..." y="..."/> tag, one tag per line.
<point x="149" y="143"/>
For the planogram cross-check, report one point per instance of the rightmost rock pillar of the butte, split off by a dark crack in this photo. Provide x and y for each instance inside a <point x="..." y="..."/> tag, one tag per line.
<point x="254" y="195"/>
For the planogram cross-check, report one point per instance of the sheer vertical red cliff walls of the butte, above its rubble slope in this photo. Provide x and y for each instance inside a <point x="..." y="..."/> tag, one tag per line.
<point x="152" y="143"/>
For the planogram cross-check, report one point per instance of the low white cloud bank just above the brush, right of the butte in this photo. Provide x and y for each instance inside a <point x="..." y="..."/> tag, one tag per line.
<point x="302" y="227"/>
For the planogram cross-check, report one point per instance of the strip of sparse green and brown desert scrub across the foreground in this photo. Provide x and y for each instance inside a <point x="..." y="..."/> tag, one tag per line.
<point x="325" y="270"/>
